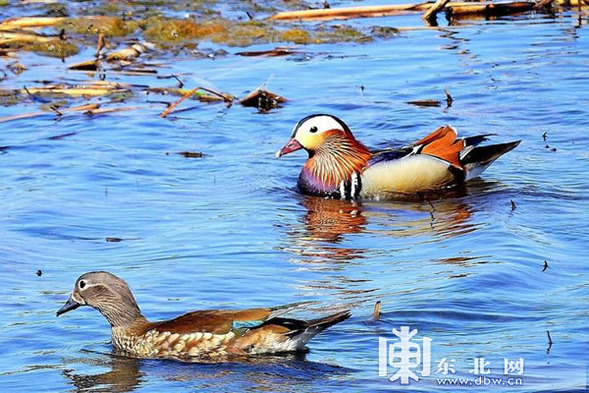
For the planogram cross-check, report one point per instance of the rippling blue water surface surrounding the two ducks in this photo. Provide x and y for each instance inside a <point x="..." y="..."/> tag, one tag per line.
<point x="230" y="231"/>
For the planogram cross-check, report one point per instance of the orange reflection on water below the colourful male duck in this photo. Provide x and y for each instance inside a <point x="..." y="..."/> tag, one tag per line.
<point x="327" y="221"/>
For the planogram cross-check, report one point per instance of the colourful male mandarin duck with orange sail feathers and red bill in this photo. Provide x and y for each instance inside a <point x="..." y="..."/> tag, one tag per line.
<point x="339" y="166"/>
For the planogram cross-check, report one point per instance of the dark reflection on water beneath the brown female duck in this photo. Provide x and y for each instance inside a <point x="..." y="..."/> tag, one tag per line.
<point x="267" y="373"/>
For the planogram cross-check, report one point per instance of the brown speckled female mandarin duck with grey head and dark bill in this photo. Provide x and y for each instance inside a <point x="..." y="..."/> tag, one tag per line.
<point x="212" y="335"/>
